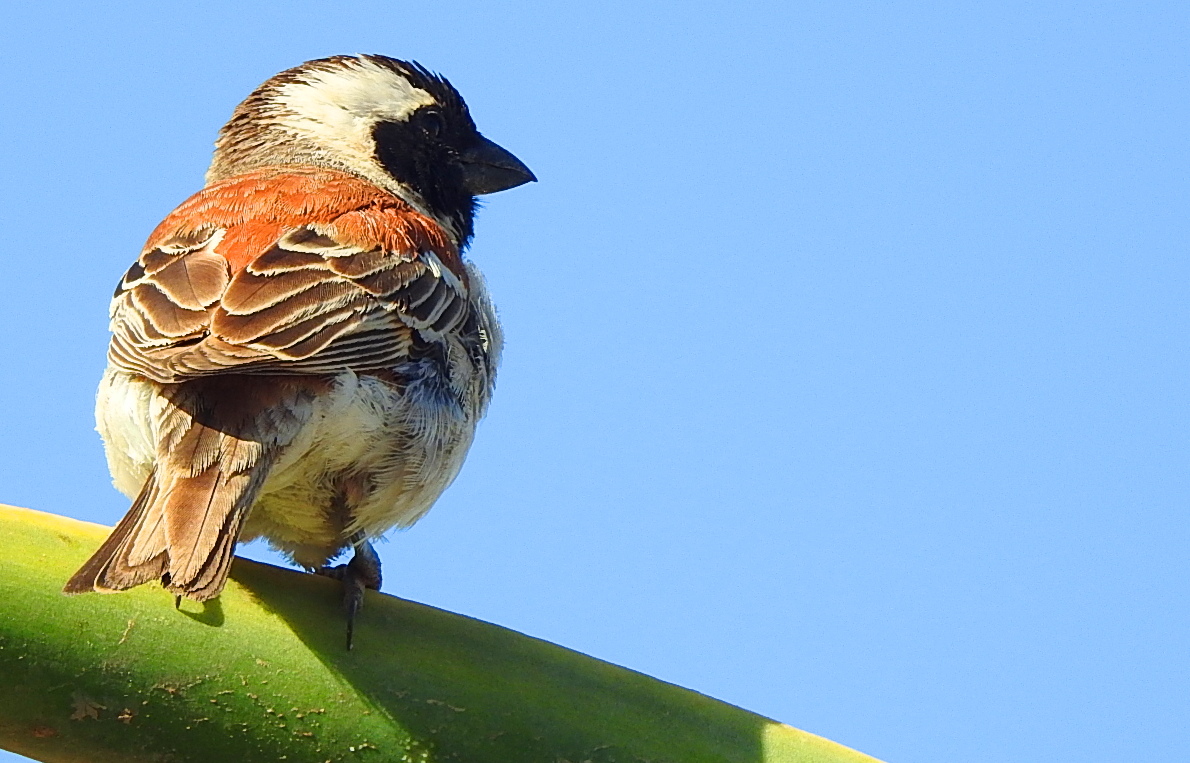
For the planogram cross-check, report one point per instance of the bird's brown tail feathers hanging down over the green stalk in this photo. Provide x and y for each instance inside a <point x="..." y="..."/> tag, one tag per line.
<point x="183" y="529"/>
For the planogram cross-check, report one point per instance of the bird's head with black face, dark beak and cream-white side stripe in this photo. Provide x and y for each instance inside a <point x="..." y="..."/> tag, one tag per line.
<point x="391" y="122"/>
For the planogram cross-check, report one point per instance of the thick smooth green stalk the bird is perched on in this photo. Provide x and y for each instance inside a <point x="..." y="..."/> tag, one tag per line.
<point x="261" y="676"/>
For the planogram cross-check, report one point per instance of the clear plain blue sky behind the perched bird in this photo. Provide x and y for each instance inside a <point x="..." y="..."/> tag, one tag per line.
<point x="847" y="370"/>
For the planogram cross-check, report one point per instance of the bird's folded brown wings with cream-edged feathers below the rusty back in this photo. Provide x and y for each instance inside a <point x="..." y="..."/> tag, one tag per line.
<point x="306" y="304"/>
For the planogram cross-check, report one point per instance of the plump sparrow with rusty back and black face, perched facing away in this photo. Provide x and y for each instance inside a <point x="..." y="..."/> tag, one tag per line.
<point x="302" y="352"/>
